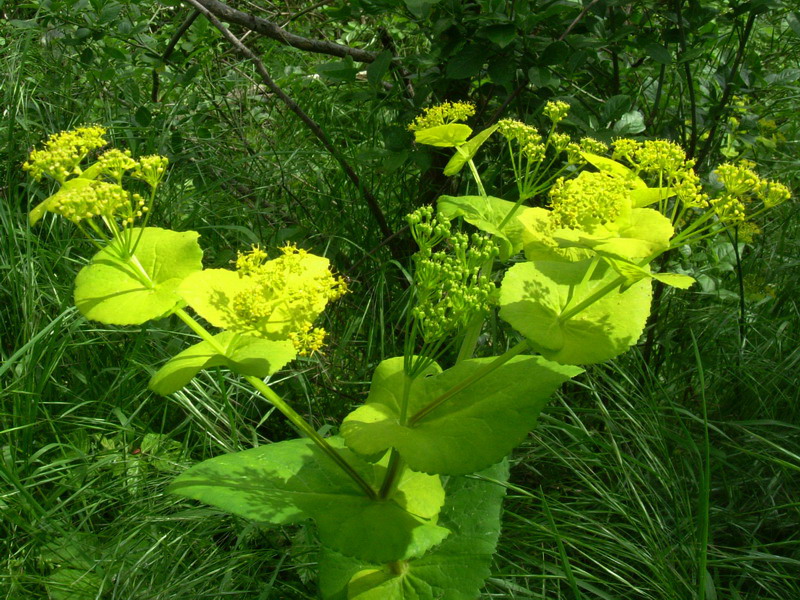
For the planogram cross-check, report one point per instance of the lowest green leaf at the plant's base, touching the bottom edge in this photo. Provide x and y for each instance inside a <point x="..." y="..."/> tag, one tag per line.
<point x="455" y="570"/>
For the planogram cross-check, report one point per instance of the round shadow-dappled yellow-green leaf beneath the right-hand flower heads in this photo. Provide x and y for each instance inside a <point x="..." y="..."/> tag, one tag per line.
<point x="535" y="295"/>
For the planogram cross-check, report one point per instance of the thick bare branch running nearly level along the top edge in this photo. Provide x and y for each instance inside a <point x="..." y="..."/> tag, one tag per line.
<point x="275" y="32"/>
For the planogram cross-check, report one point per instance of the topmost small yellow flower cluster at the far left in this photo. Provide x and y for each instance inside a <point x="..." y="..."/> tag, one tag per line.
<point x="63" y="152"/>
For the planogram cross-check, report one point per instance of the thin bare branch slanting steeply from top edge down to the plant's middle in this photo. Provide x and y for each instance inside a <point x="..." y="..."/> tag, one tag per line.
<point x="369" y="198"/>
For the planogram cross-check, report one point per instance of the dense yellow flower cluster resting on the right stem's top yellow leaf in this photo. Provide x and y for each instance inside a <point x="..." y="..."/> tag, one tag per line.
<point x="587" y="200"/>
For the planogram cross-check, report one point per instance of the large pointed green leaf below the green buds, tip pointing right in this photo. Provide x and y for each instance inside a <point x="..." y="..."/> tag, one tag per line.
<point x="474" y="428"/>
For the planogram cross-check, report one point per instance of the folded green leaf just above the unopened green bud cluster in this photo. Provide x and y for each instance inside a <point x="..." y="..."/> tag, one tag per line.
<point x="486" y="213"/>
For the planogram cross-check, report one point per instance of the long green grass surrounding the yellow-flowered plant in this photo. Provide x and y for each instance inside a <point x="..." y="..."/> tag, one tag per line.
<point x="676" y="479"/>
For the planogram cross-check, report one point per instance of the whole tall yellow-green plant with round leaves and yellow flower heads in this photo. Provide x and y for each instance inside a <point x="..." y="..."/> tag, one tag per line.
<point x="399" y="513"/>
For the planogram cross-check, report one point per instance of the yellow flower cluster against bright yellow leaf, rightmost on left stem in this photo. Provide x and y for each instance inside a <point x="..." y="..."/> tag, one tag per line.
<point x="285" y="296"/>
